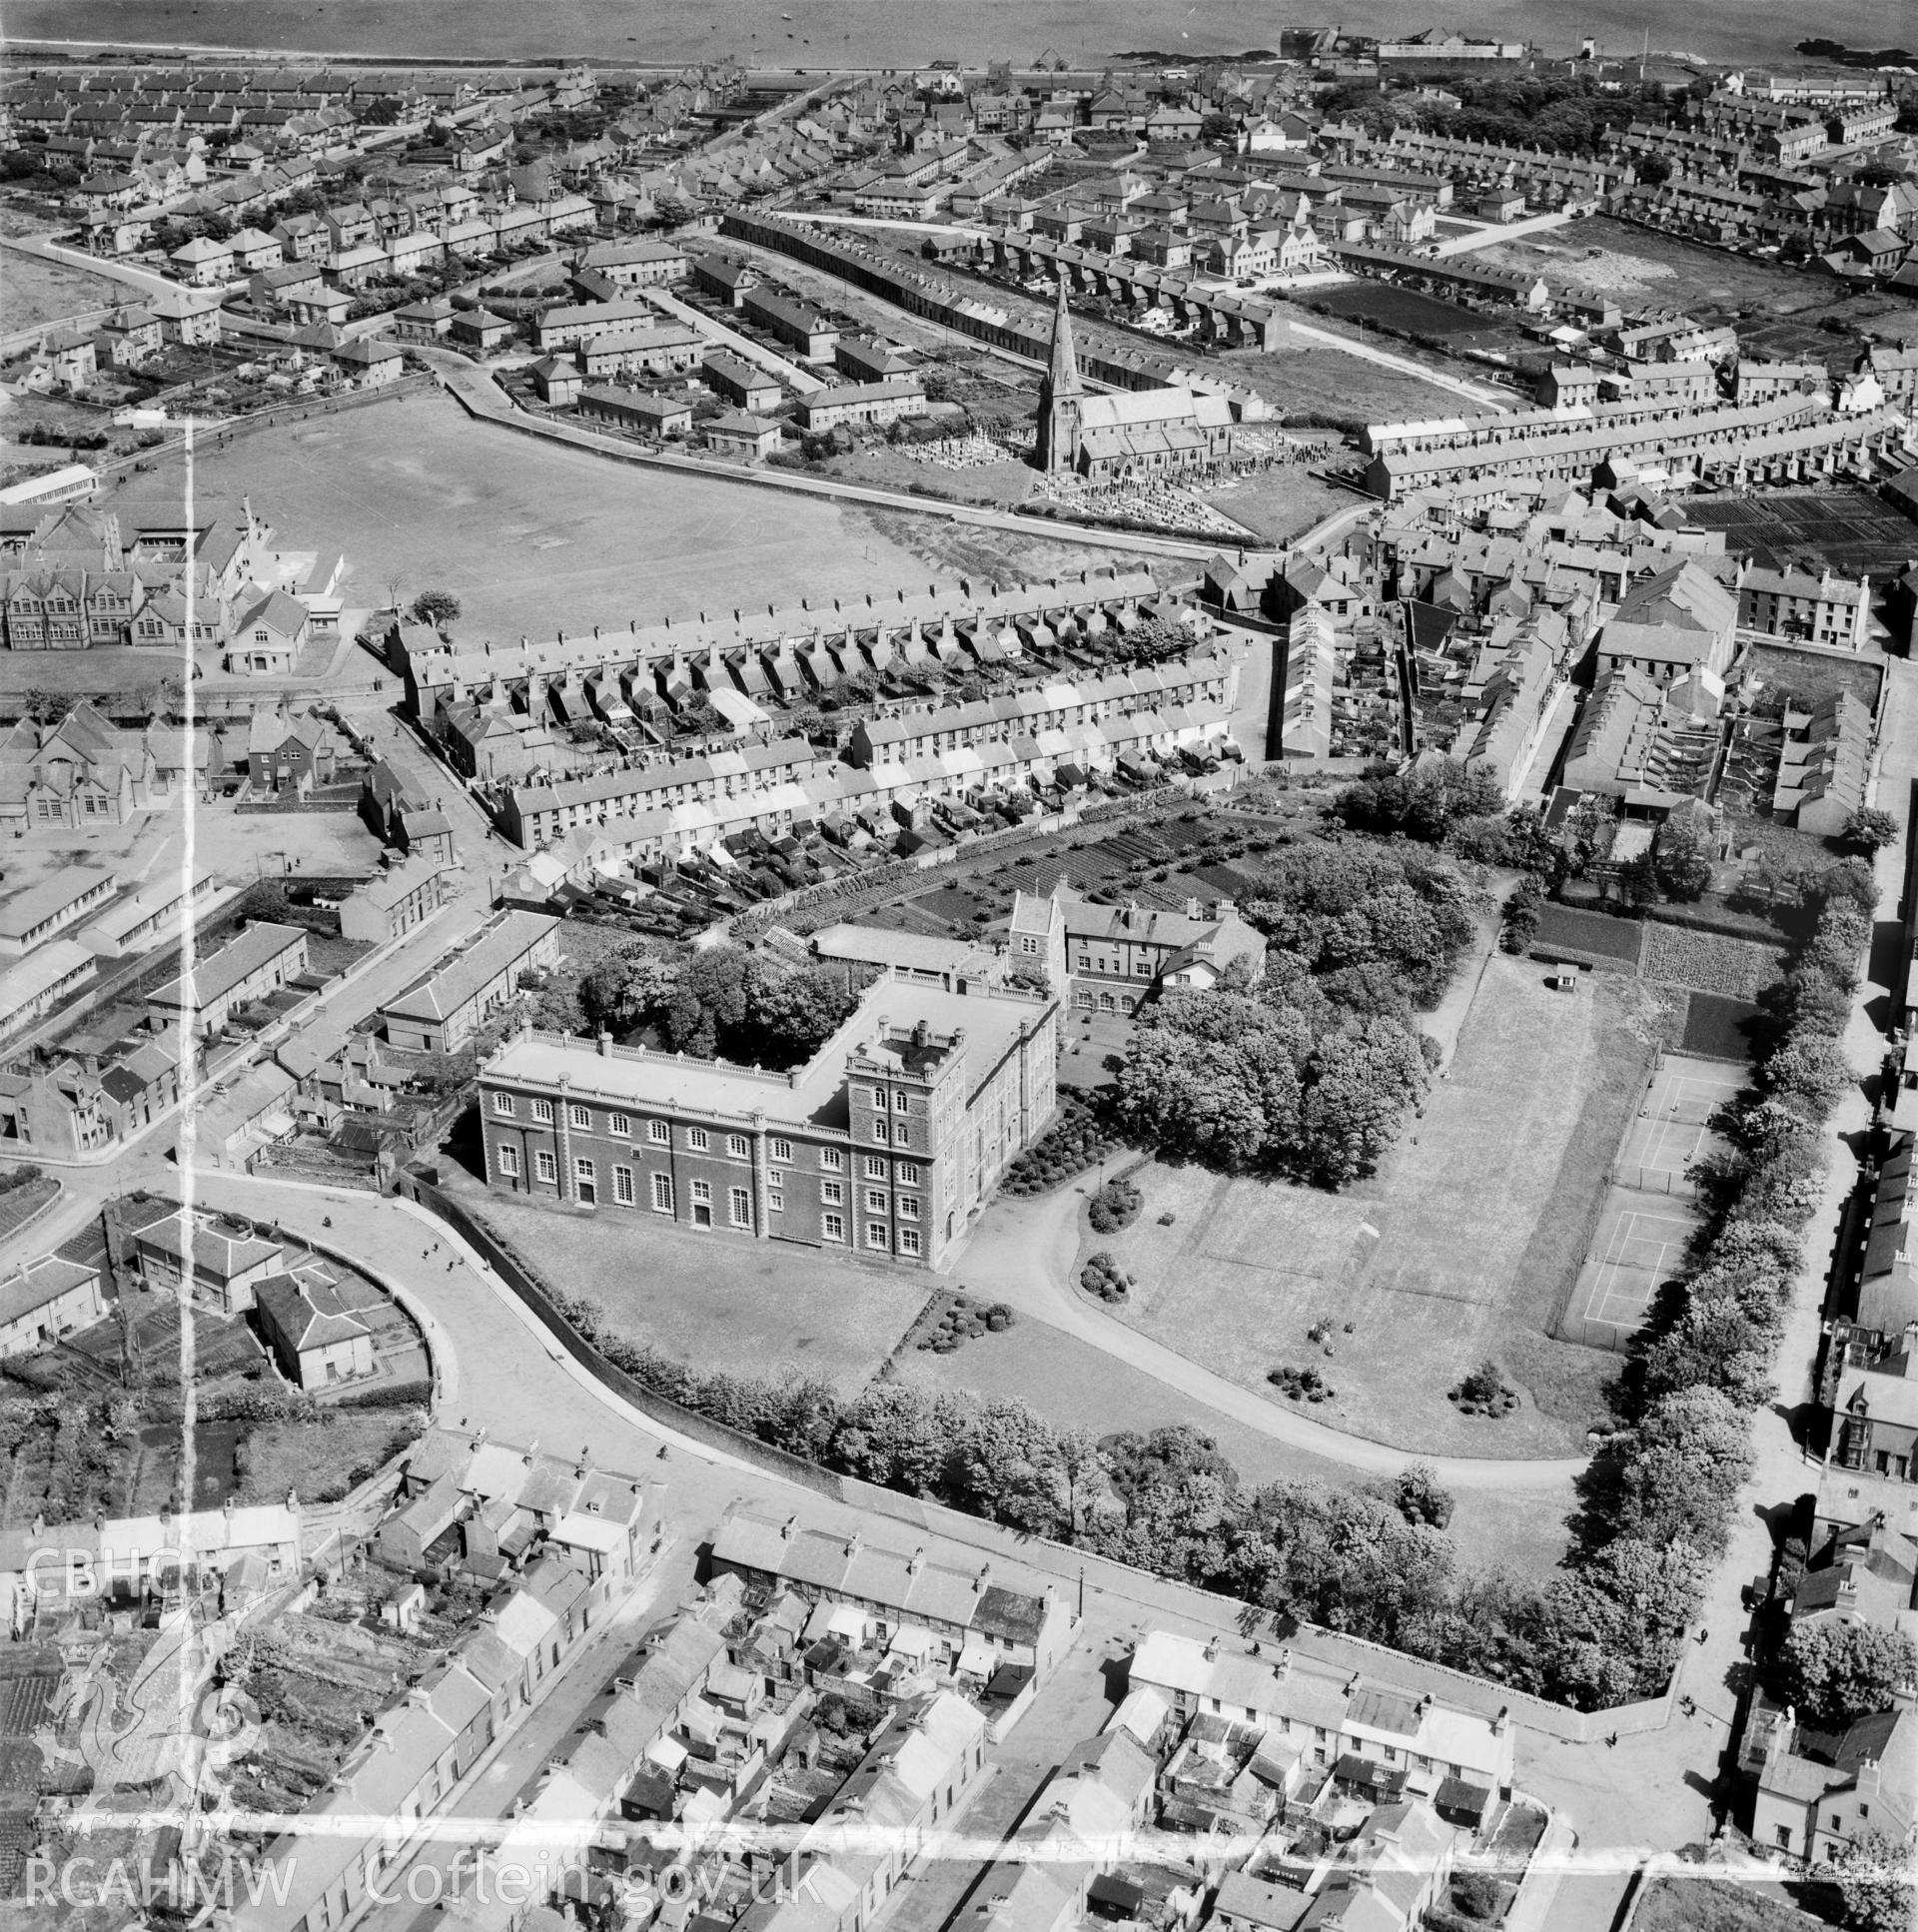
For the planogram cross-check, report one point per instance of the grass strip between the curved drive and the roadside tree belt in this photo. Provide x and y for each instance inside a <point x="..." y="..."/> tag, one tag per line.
<point x="1079" y="1386"/>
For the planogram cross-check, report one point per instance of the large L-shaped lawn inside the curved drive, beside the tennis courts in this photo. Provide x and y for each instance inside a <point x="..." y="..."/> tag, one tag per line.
<point x="1461" y="1247"/>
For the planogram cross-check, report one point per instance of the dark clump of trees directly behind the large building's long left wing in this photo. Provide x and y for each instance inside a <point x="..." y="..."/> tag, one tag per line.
<point x="723" y="1004"/>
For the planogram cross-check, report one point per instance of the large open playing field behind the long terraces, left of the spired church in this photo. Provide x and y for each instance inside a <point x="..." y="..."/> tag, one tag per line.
<point x="534" y="538"/>
